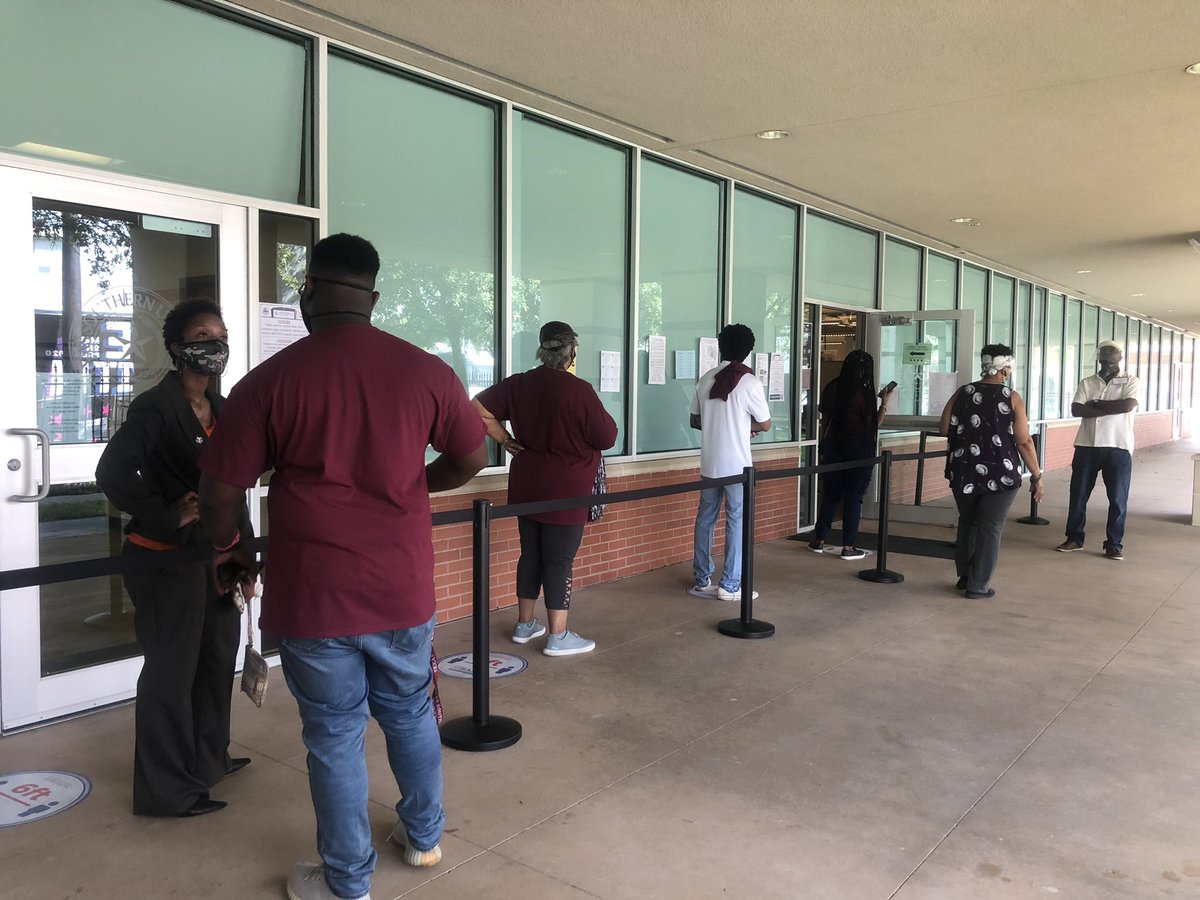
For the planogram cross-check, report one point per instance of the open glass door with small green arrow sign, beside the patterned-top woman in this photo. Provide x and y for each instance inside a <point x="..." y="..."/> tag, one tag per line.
<point x="929" y="355"/>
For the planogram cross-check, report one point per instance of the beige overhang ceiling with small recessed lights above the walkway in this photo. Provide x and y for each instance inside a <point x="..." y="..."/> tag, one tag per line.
<point x="1067" y="128"/>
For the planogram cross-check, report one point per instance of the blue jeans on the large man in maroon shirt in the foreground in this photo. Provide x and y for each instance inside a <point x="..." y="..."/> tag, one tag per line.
<point x="338" y="682"/>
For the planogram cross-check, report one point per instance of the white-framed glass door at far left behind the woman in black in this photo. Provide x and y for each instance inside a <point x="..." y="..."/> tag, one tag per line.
<point x="91" y="273"/>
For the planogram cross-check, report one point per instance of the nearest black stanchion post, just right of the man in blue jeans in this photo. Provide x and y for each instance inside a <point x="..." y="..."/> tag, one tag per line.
<point x="481" y="731"/>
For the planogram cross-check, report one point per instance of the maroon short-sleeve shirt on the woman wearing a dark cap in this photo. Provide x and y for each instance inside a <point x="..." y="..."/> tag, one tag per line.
<point x="563" y="427"/>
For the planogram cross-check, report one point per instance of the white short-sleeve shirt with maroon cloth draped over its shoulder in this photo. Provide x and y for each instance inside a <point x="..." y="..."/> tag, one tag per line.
<point x="725" y="424"/>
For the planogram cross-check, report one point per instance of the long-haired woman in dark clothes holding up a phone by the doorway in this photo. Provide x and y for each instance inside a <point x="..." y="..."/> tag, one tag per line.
<point x="850" y="423"/>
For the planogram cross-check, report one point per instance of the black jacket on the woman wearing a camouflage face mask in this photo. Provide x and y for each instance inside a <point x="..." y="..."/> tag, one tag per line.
<point x="152" y="461"/>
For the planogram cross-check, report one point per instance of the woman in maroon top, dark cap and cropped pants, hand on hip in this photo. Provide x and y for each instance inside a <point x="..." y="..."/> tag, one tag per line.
<point x="559" y="430"/>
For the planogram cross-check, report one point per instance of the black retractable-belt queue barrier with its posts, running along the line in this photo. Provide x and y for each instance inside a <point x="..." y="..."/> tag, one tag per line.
<point x="482" y="731"/>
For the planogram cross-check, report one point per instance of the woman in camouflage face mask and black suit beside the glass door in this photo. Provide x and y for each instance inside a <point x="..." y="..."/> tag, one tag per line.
<point x="188" y="633"/>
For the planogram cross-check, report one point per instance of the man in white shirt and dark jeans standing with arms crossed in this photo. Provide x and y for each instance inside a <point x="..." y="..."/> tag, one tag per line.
<point x="1103" y="447"/>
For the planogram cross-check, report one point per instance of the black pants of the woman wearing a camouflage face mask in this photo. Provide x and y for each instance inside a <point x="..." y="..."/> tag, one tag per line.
<point x="189" y="635"/>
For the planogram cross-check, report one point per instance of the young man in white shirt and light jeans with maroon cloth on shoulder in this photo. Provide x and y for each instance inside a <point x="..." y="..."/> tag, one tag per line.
<point x="728" y="409"/>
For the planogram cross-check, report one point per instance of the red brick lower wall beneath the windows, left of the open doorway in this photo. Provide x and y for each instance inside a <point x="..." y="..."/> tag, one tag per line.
<point x="632" y="538"/>
